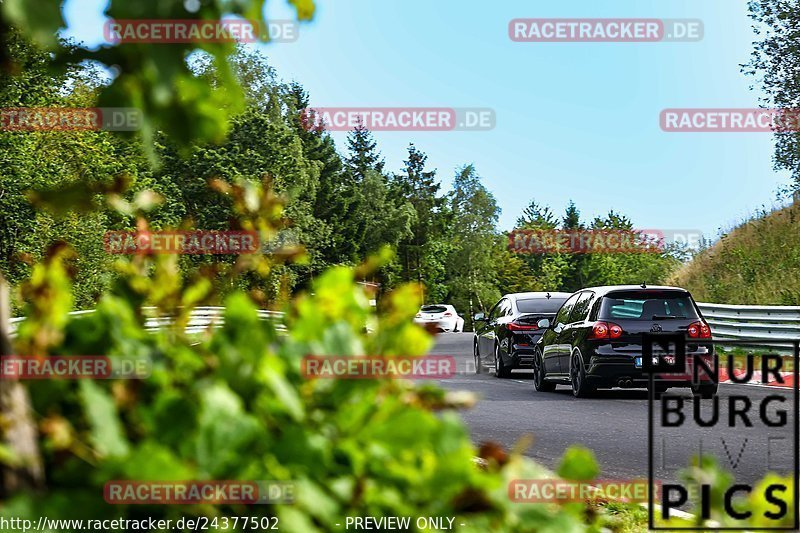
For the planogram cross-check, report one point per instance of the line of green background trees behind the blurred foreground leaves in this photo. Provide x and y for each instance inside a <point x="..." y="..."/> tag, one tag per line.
<point x="340" y="207"/>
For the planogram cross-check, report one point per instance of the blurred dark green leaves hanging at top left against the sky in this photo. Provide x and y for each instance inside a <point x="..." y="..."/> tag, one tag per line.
<point x="155" y="79"/>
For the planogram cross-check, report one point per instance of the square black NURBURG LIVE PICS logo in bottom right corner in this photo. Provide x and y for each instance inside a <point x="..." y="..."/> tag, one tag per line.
<point x="742" y="440"/>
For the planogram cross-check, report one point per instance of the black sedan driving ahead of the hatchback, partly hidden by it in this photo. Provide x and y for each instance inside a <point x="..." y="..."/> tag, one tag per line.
<point x="505" y="338"/>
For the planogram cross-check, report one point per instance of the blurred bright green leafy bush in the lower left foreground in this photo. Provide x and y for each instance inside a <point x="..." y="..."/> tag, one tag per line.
<point x="236" y="406"/>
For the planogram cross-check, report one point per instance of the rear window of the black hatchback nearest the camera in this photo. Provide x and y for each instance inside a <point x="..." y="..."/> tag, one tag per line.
<point x="644" y="305"/>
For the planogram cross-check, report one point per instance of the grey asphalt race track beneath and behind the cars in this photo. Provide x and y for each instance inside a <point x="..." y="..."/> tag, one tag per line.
<point x="614" y="423"/>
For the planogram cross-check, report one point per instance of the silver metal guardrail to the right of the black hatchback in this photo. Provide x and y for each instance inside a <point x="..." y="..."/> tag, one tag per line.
<point x="759" y="323"/>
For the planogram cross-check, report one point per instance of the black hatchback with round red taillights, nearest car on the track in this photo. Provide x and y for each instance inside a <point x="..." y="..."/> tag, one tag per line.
<point x="595" y="340"/>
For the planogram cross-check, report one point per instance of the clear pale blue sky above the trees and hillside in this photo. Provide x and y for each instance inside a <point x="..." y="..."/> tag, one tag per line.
<point x="575" y="121"/>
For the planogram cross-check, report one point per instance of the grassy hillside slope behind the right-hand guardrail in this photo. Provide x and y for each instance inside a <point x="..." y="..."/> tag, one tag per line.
<point x="755" y="263"/>
